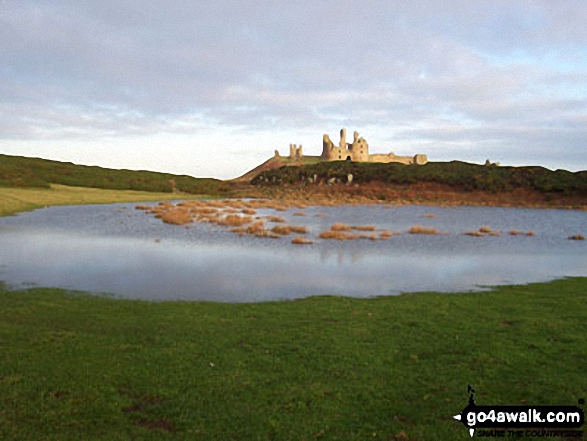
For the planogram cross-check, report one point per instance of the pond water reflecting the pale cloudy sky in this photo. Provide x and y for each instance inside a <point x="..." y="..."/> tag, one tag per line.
<point x="111" y="249"/>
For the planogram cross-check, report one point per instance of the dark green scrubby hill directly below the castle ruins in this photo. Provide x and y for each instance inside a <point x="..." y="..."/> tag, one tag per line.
<point x="459" y="175"/>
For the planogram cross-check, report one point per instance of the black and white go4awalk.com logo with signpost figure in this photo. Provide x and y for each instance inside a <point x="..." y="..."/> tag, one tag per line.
<point x="530" y="421"/>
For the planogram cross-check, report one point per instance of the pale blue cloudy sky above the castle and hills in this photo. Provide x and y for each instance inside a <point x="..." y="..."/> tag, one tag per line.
<point x="211" y="88"/>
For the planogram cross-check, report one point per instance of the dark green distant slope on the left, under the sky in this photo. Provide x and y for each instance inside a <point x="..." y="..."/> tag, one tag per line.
<point x="18" y="171"/>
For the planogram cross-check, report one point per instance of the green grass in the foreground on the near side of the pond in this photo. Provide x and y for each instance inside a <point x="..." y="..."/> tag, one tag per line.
<point x="74" y="366"/>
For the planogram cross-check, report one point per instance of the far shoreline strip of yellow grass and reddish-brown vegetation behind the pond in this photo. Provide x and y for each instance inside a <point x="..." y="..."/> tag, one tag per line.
<point x="18" y="200"/>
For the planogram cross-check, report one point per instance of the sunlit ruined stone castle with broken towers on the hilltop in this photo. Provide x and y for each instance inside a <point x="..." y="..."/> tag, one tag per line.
<point x="358" y="151"/>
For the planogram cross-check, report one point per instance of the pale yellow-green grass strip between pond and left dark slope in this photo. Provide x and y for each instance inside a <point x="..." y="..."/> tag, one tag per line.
<point x="13" y="200"/>
